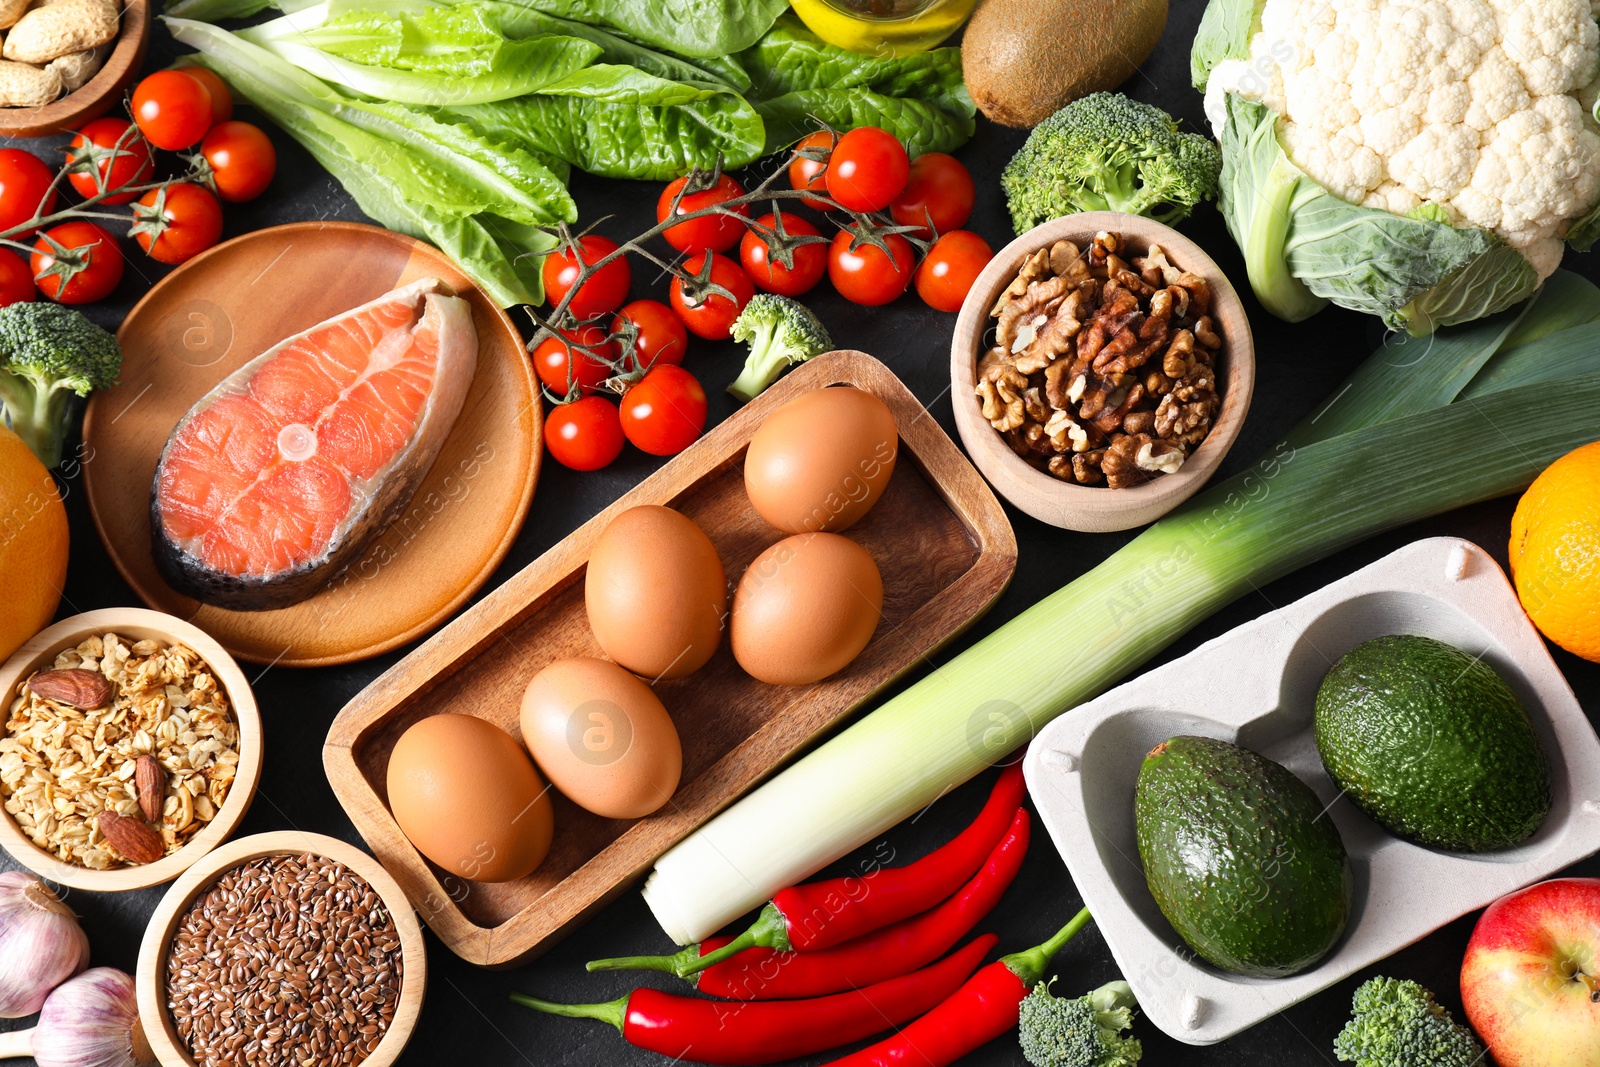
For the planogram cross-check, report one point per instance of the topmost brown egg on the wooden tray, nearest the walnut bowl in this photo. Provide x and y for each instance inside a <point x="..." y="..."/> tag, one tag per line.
<point x="822" y="462"/>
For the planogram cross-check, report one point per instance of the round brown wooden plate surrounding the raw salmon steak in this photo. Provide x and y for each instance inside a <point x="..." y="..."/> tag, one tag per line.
<point x="228" y="306"/>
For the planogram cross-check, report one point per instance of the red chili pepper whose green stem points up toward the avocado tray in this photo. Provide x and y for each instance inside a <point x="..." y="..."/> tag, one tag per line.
<point x="982" y="1010"/>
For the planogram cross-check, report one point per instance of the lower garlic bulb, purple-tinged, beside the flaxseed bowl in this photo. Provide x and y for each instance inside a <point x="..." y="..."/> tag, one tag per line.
<point x="92" y="1021"/>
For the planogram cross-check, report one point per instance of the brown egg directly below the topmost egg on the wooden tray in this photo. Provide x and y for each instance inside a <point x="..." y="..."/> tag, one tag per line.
<point x="806" y="609"/>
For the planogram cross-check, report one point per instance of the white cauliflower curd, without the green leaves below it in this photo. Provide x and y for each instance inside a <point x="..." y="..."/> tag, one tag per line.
<point x="1481" y="110"/>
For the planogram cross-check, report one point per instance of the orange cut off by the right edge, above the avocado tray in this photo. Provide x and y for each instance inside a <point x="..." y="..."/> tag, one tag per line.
<point x="1556" y="553"/>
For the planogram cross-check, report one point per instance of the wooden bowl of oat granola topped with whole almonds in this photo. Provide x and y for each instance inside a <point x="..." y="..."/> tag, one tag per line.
<point x="132" y="748"/>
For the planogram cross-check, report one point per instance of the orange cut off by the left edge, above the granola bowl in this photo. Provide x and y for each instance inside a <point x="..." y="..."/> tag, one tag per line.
<point x="33" y="545"/>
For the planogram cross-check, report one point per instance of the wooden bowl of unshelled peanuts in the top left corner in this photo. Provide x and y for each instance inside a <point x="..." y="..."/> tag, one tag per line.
<point x="79" y="84"/>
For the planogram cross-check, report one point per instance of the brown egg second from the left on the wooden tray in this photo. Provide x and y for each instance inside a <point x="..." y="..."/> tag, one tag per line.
<point x="602" y="738"/>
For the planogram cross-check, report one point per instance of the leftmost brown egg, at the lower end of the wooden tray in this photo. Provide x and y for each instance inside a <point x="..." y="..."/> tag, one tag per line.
<point x="468" y="796"/>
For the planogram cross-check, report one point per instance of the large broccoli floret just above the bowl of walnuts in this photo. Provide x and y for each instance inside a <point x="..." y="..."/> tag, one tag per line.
<point x="1106" y="153"/>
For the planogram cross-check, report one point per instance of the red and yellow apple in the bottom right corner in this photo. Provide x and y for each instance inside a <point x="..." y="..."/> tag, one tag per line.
<point x="1532" y="977"/>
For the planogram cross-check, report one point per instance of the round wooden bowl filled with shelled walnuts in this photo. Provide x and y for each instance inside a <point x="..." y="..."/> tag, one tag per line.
<point x="1102" y="370"/>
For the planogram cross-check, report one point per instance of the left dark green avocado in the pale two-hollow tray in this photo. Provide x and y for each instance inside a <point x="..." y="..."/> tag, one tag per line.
<point x="1241" y="857"/>
